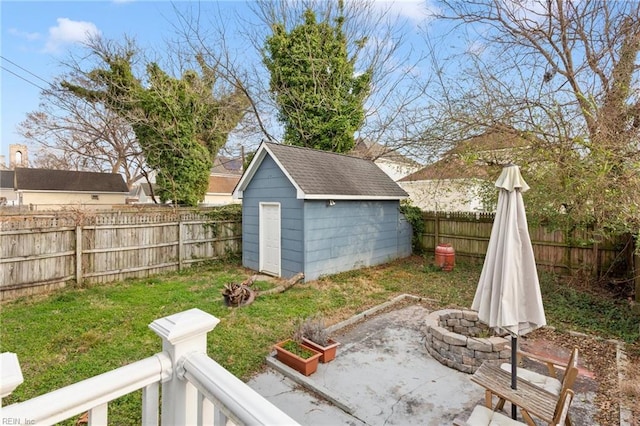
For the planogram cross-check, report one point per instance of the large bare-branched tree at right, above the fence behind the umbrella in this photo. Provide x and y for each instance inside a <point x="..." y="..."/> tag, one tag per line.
<point x="566" y="72"/>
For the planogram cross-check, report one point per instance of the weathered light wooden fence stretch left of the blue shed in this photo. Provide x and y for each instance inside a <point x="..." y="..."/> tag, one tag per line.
<point x="41" y="253"/>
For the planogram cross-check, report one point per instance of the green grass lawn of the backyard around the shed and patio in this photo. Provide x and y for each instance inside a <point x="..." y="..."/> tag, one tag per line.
<point x="74" y="334"/>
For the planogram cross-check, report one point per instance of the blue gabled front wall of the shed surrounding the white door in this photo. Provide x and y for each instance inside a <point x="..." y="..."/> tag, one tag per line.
<point x="269" y="184"/>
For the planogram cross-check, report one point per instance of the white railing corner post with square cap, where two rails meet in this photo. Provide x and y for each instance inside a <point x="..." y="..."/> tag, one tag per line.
<point x="182" y="333"/>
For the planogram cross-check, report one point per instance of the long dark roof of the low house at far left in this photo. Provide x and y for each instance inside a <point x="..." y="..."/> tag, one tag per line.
<point x="68" y="180"/>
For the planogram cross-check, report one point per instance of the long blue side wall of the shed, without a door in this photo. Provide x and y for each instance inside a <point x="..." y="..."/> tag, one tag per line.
<point x="350" y="235"/>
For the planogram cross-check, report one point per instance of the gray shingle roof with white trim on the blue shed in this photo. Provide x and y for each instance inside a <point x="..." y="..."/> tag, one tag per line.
<point x="323" y="175"/>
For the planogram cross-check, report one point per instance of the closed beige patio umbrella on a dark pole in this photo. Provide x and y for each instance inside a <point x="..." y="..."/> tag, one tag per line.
<point x="508" y="296"/>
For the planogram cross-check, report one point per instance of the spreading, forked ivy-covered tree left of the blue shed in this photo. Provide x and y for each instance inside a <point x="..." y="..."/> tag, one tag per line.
<point x="179" y="124"/>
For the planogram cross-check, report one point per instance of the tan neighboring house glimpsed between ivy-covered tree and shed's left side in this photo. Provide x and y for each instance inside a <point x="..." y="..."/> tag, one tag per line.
<point x="224" y="177"/>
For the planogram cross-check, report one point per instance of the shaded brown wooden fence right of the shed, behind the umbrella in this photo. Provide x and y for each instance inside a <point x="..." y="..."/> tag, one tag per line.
<point x="563" y="252"/>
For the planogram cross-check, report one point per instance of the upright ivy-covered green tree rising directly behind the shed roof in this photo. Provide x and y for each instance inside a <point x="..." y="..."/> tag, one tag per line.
<point x="318" y="93"/>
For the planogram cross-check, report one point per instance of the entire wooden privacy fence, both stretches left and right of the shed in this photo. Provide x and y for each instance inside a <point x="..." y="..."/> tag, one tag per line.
<point x="39" y="253"/>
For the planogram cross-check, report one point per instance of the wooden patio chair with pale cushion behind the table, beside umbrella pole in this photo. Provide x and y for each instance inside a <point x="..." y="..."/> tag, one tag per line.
<point x="550" y="382"/>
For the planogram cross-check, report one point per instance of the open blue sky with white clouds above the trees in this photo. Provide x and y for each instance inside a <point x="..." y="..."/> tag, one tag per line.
<point x="36" y="35"/>
